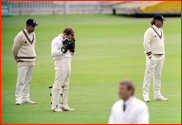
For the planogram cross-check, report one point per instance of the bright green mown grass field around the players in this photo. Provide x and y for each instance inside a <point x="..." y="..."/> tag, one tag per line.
<point x="108" y="49"/>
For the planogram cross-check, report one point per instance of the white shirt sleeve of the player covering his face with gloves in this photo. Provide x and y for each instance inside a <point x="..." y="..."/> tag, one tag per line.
<point x="55" y="50"/>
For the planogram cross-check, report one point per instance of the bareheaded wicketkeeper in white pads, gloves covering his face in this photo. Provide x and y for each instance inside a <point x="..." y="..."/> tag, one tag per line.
<point x="62" y="48"/>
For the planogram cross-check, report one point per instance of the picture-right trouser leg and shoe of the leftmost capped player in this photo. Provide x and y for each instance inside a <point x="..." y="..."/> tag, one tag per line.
<point x="26" y="88"/>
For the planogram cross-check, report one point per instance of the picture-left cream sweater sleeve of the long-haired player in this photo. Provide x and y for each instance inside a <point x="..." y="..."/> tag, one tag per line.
<point x="147" y="40"/>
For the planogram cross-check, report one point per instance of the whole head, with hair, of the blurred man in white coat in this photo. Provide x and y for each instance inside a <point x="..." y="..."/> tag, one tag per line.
<point x="126" y="89"/>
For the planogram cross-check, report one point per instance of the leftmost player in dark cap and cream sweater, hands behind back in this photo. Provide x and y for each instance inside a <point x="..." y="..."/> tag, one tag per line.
<point x="25" y="56"/>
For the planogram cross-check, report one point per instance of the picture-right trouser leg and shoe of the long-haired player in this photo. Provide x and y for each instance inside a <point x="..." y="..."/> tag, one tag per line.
<point x="157" y="79"/>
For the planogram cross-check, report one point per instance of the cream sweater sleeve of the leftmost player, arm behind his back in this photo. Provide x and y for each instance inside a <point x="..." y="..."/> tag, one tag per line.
<point x="16" y="45"/>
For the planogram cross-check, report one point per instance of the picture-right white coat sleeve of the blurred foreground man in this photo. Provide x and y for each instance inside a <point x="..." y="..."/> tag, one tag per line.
<point x="143" y="115"/>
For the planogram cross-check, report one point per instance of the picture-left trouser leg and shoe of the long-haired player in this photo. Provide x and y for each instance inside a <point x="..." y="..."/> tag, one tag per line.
<point x="150" y="64"/>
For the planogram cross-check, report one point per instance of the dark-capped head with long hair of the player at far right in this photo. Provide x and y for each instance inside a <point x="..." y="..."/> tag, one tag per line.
<point x="157" y="20"/>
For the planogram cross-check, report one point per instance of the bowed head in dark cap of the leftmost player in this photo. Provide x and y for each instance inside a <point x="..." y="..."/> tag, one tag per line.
<point x="30" y="25"/>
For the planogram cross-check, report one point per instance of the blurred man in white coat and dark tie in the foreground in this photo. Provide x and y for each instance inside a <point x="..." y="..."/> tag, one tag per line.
<point x="128" y="110"/>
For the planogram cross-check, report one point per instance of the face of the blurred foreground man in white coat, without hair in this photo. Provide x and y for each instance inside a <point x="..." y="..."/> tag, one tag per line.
<point x="124" y="93"/>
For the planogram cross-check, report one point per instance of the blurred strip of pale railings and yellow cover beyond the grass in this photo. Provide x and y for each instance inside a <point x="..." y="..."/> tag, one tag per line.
<point x="138" y="8"/>
